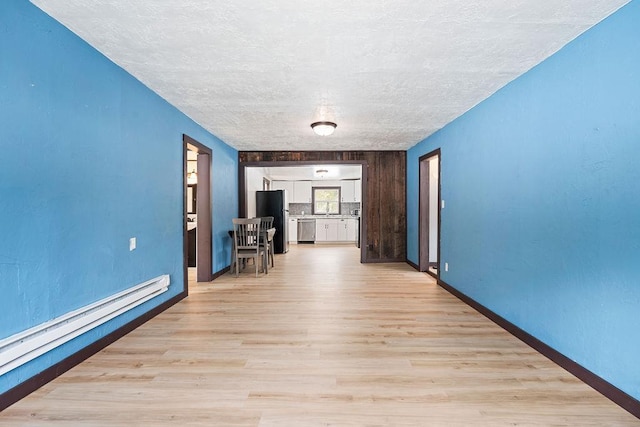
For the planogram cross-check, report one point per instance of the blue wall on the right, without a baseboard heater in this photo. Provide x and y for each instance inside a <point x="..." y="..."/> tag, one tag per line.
<point x="542" y="189"/>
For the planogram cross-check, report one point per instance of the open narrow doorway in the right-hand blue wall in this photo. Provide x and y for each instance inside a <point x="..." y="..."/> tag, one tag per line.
<point x="429" y="213"/>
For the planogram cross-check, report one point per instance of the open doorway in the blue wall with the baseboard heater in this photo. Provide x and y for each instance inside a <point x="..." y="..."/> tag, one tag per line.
<point x="197" y="210"/>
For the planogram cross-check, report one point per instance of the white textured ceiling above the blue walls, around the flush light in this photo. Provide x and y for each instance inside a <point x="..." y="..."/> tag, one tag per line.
<point x="389" y="73"/>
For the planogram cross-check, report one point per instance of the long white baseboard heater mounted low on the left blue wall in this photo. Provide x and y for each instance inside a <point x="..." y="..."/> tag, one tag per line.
<point x="27" y="345"/>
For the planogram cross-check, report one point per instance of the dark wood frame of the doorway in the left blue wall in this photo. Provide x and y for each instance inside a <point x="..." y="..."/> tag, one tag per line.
<point x="204" y="240"/>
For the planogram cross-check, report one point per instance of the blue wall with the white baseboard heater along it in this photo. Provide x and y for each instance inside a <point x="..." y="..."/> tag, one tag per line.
<point x="89" y="157"/>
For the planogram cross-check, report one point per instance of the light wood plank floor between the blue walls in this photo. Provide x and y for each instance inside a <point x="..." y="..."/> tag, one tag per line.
<point x="321" y="340"/>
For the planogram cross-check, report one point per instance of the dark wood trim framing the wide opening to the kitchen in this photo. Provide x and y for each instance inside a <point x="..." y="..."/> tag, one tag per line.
<point x="242" y="188"/>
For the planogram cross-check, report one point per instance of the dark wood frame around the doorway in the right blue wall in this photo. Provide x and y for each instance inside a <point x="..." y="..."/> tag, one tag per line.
<point x="423" y="212"/>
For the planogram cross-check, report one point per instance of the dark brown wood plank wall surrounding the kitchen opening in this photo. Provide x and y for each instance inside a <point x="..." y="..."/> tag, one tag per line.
<point x="384" y="208"/>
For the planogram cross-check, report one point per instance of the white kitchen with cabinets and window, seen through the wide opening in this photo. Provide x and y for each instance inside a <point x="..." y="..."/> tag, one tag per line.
<point x="323" y="202"/>
